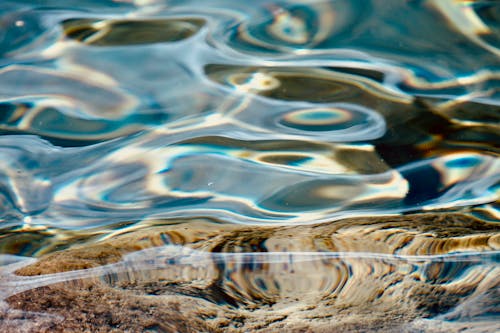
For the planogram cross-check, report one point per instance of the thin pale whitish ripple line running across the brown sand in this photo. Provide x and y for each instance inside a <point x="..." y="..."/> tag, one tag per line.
<point x="175" y="257"/>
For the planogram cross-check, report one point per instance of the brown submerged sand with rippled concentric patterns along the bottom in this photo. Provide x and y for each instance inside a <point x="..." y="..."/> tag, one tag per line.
<point x="227" y="292"/>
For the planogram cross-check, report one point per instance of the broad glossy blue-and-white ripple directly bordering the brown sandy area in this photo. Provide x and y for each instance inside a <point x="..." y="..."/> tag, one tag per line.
<point x="129" y="180"/>
